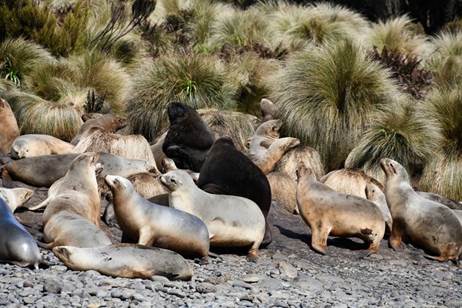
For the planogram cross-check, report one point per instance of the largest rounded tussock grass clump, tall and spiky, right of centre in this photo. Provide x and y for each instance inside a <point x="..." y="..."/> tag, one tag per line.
<point x="327" y="96"/>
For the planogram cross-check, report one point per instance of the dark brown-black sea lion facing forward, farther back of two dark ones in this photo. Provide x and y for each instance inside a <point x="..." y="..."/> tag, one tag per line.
<point x="188" y="138"/>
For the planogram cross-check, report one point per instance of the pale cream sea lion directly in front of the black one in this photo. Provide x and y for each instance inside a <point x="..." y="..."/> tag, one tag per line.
<point x="232" y="221"/>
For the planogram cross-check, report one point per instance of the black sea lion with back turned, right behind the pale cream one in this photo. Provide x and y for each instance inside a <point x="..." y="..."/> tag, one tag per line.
<point x="227" y="171"/>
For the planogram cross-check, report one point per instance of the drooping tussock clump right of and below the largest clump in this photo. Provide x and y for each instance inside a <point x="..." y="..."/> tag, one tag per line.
<point x="404" y="134"/>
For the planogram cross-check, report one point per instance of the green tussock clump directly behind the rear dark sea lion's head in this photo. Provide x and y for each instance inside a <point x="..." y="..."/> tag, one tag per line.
<point x="193" y="79"/>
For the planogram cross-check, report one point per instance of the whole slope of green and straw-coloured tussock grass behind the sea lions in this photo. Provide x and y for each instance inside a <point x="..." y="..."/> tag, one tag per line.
<point x="353" y="89"/>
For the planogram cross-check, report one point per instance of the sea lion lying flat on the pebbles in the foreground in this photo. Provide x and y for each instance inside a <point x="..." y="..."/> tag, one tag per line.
<point x="127" y="261"/>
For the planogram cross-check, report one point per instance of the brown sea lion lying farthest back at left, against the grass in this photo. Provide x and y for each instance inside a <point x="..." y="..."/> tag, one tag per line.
<point x="108" y="122"/>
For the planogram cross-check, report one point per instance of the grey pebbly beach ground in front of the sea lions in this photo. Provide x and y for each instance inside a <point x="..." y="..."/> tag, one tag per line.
<point x="287" y="274"/>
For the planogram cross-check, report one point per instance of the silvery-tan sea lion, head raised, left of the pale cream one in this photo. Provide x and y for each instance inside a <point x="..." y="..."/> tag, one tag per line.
<point x="152" y="224"/>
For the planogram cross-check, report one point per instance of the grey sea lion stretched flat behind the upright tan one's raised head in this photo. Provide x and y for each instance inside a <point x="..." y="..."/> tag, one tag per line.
<point x="43" y="171"/>
